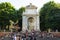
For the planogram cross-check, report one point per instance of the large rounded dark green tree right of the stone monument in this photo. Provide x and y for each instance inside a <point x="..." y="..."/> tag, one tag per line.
<point x="48" y="15"/>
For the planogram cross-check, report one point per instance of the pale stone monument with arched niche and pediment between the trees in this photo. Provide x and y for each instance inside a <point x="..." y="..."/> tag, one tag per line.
<point x="30" y="18"/>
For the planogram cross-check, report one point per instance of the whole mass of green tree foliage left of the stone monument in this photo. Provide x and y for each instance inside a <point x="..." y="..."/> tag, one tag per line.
<point x="8" y="12"/>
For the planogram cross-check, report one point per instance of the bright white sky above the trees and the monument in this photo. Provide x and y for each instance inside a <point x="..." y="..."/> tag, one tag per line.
<point x="23" y="3"/>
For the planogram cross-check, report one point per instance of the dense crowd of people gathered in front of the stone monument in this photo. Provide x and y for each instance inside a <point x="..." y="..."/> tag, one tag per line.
<point x="33" y="35"/>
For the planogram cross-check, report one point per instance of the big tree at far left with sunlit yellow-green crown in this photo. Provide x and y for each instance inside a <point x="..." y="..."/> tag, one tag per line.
<point x="5" y="10"/>
